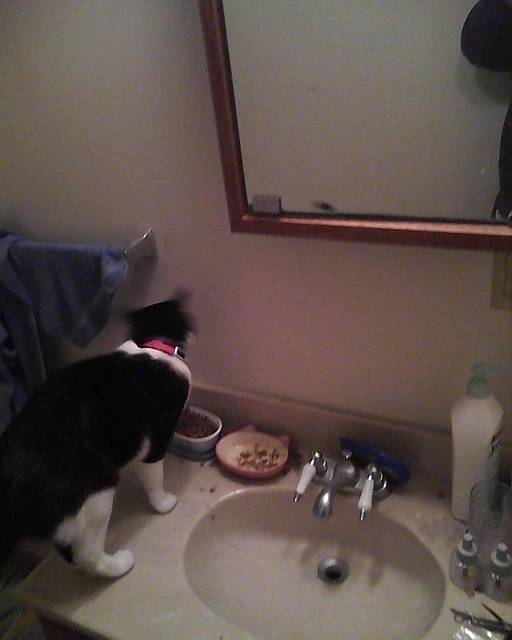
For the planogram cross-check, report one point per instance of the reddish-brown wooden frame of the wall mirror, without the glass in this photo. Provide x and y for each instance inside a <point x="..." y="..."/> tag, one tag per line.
<point x="371" y="228"/>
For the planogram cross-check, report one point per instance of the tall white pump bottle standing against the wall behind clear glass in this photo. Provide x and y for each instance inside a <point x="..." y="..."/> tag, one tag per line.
<point x="476" y="431"/>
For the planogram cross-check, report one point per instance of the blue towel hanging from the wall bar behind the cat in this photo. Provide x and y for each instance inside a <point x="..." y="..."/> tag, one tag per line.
<point x="61" y="289"/>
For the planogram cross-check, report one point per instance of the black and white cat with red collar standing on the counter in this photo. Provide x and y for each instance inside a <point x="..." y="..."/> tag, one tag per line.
<point x="60" y="457"/>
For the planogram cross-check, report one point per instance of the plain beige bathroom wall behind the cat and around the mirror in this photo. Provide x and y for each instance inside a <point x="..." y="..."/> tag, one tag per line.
<point x="107" y="126"/>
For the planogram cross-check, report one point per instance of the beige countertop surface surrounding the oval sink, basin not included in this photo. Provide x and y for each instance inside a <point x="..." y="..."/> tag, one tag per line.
<point x="155" y="599"/>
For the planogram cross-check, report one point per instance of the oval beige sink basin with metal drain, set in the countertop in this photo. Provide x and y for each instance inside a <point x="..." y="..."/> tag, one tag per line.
<point x="254" y="559"/>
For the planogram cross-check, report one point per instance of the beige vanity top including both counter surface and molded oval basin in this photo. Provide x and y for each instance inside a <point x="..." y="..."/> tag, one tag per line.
<point x="238" y="560"/>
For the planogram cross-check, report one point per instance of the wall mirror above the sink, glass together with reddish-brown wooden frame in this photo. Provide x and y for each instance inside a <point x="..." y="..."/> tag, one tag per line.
<point x="356" y="121"/>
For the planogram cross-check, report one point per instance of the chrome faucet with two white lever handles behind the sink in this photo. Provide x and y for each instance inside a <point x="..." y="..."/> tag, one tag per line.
<point x="344" y="476"/>
